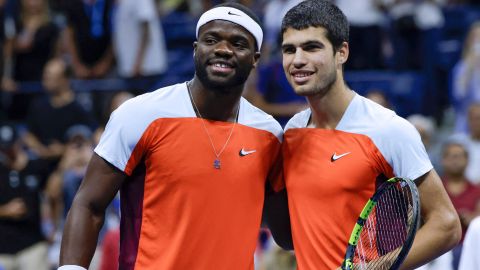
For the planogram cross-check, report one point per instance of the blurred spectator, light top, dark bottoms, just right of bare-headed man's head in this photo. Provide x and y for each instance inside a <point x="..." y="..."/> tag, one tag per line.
<point x="366" y="26"/>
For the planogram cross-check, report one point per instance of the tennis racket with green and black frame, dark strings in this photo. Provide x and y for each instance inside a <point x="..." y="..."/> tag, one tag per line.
<point x="385" y="230"/>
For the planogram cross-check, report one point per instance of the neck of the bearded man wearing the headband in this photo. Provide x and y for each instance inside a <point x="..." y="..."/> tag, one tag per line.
<point x="215" y="104"/>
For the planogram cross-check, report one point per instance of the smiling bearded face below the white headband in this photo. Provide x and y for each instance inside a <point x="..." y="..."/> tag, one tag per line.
<point x="224" y="54"/>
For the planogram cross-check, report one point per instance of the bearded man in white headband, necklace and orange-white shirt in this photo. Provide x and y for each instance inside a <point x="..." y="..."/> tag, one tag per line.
<point x="190" y="160"/>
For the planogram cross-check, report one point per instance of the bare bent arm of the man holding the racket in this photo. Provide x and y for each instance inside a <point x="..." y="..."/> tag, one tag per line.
<point x="440" y="230"/>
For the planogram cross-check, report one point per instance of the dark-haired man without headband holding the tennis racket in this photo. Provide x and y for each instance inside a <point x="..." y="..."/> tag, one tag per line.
<point x="337" y="151"/>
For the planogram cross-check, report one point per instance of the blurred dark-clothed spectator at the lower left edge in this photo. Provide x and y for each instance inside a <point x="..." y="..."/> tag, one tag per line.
<point x="22" y="243"/>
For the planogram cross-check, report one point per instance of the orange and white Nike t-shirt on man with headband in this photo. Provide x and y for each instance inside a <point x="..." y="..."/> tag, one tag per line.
<point x="177" y="210"/>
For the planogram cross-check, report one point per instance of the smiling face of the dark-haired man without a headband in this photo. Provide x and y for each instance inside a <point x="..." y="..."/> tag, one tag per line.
<point x="309" y="61"/>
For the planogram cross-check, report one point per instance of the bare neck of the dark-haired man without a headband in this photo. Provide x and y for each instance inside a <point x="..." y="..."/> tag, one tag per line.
<point x="328" y="109"/>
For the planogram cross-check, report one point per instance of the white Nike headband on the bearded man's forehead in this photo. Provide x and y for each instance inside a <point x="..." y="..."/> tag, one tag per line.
<point x="233" y="15"/>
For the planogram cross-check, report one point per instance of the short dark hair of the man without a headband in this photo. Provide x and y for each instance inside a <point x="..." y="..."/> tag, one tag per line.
<point x="318" y="13"/>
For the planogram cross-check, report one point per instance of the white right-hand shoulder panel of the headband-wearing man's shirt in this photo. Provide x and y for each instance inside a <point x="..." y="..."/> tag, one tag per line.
<point x="254" y="117"/>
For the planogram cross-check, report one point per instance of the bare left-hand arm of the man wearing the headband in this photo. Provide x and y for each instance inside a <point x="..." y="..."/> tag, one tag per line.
<point x="87" y="214"/>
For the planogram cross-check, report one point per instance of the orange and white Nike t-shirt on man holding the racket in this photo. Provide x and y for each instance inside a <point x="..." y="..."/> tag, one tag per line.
<point x="330" y="175"/>
